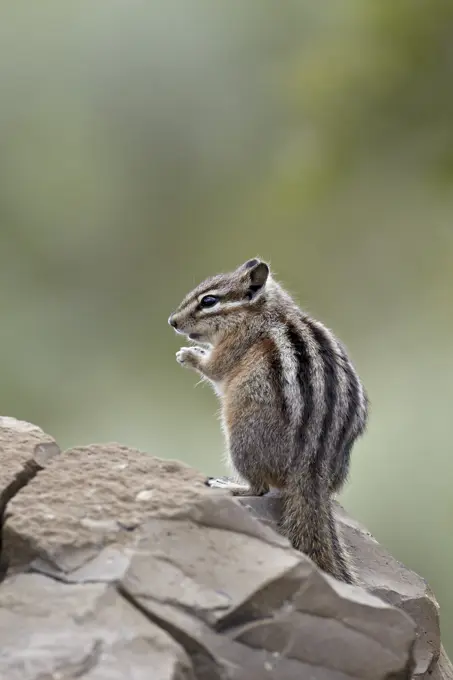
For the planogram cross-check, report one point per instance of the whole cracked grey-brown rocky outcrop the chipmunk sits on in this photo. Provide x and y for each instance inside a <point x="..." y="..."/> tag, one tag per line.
<point x="119" y="565"/>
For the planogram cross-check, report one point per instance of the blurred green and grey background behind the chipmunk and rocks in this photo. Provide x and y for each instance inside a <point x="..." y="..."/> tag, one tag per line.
<point x="144" y="146"/>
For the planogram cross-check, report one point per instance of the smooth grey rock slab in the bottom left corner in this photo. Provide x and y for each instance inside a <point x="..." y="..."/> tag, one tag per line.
<point x="57" y="630"/>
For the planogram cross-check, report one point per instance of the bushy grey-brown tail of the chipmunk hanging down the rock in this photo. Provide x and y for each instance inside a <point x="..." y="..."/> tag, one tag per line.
<point x="308" y="522"/>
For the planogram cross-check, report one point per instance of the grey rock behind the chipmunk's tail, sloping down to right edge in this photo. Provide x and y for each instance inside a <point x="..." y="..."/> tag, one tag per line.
<point x="383" y="576"/>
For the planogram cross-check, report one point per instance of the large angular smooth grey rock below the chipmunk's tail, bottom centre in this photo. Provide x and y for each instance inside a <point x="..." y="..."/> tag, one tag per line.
<point x="274" y="607"/>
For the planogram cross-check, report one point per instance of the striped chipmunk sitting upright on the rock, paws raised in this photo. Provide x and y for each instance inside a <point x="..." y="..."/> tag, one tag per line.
<point x="292" y="404"/>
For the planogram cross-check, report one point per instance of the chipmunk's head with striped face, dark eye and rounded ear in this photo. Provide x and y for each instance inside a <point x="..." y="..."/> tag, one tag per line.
<point x="222" y="302"/>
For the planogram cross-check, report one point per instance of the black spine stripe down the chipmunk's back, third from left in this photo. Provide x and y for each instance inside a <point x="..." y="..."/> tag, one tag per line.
<point x="330" y="367"/>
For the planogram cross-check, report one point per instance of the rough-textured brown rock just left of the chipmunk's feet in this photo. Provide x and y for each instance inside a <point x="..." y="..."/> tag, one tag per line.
<point x="92" y="498"/>
